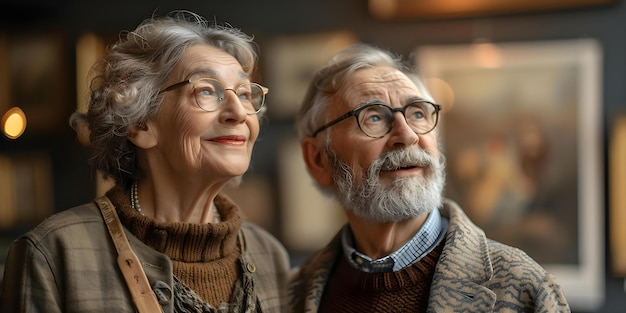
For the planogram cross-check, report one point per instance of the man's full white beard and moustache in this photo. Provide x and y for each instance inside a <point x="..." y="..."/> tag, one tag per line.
<point x="403" y="199"/>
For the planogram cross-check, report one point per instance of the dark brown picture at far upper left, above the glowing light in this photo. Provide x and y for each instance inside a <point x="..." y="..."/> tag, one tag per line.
<point x="36" y="79"/>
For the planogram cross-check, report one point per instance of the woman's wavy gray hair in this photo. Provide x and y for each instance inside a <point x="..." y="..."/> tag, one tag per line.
<point x="126" y="83"/>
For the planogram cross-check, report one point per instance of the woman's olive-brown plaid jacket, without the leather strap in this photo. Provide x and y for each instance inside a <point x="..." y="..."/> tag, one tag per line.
<point x="68" y="263"/>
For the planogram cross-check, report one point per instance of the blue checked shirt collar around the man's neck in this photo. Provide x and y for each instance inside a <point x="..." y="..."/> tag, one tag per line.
<point x="425" y="240"/>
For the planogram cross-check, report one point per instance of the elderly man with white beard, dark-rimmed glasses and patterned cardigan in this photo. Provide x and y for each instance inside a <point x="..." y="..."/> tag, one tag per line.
<point x="369" y="137"/>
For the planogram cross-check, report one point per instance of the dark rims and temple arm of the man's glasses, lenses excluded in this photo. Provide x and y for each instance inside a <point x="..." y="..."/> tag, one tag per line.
<point x="357" y="111"/>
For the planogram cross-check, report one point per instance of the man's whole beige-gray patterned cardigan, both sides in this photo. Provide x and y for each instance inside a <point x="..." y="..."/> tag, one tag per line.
<point x="473" y="274"/>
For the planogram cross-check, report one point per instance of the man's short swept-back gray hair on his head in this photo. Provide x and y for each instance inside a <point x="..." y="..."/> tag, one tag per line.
<point x="329" y="80"/>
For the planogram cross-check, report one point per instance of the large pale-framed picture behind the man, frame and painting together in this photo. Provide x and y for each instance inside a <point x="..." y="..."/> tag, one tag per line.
<point x="522" y="136"/>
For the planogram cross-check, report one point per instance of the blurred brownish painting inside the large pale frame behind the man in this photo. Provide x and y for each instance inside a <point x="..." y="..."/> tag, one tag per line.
<point x="512" y="157"/>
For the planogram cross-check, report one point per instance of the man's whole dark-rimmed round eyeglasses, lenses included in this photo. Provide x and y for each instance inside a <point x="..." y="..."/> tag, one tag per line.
<point x="375" y="119"/>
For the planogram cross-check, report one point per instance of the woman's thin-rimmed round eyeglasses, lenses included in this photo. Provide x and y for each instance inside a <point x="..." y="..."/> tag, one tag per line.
<point x="210" y="94"/>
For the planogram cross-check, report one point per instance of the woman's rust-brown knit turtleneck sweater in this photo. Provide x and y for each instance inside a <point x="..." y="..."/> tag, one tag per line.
<point x="204" y="256"/>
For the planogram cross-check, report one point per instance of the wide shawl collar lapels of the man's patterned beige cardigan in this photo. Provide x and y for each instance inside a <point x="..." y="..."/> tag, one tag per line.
<point x="463" y="267"/>
